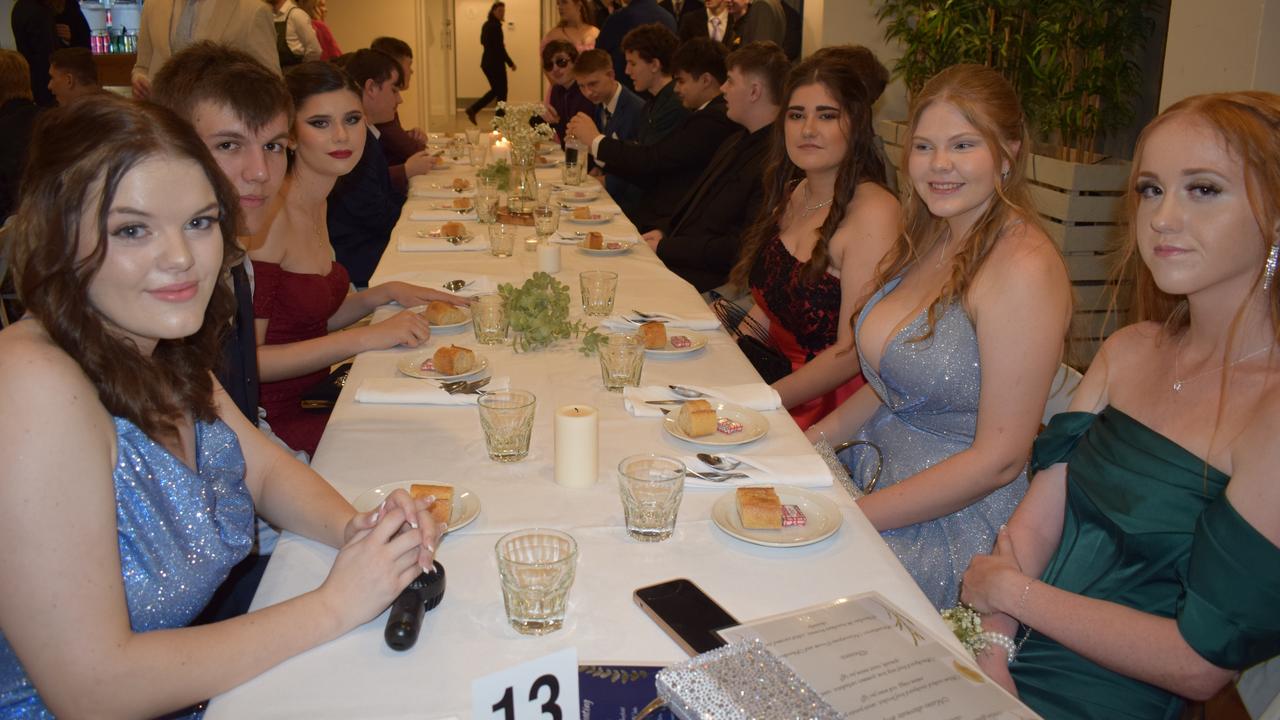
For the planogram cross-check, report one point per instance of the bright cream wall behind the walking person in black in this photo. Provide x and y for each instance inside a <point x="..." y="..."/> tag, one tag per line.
<point x="522" y="33"/>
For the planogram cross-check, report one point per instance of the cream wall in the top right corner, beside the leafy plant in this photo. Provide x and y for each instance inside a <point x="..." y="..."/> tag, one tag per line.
<point x="1223" y="45"/>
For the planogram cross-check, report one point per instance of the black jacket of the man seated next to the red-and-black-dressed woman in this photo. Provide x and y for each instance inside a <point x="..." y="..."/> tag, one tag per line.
<point x="702" y="240"/>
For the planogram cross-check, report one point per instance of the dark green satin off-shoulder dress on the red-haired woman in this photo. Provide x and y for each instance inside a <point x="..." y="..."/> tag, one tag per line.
<point x="1148" y="526"/>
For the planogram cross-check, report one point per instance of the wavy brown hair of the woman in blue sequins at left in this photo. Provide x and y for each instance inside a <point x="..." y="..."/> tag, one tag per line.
<point x="79" y="158"/>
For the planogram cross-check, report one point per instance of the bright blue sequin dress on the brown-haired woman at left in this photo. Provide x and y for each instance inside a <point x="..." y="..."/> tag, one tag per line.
<point x="180" y="534"/>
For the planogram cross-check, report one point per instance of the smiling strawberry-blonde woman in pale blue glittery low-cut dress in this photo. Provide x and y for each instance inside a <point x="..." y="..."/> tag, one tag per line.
<point x="961" y="344"/>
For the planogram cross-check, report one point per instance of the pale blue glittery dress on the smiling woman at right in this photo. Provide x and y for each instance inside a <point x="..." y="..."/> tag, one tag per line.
<point x="930" y="412"/>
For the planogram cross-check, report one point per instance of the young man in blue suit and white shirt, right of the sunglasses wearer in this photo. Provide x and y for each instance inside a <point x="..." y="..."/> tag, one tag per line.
<point x="619" y="113"/>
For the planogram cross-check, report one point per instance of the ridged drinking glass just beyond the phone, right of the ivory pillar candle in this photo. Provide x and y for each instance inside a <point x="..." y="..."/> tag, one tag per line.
<point x="652" y="487"/>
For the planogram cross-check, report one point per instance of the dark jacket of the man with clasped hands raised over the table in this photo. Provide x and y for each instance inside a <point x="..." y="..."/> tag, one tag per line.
<point x="666" y="170"/>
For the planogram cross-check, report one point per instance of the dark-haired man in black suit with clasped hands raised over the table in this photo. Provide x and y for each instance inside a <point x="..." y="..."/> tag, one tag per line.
<point x="666" y="170"/>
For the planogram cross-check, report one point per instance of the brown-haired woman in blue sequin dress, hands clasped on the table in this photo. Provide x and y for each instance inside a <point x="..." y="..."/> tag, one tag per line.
<point x="129" y="480"/>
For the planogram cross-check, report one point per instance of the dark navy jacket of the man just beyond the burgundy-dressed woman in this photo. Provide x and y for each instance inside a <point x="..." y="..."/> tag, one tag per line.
<point x="363" y="211"/>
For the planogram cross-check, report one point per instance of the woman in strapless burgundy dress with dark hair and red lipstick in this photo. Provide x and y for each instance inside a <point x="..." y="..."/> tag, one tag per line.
<point x="303" y="297"/>
